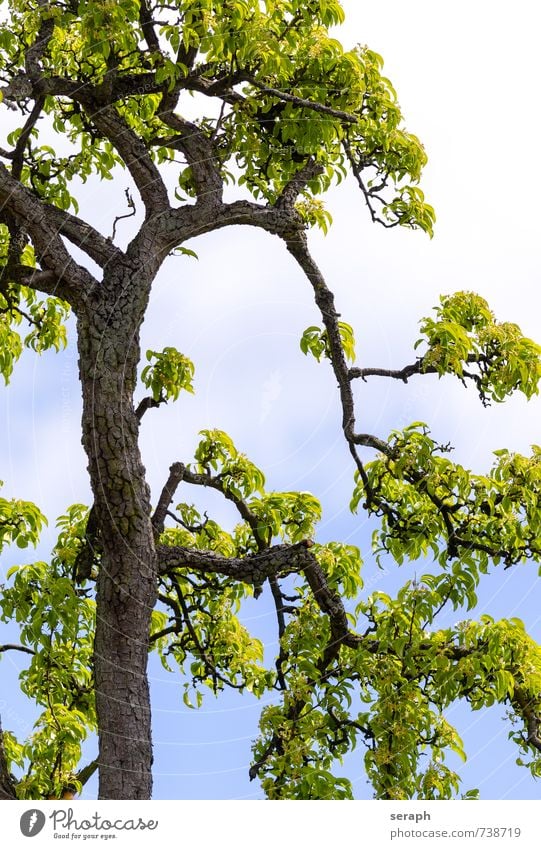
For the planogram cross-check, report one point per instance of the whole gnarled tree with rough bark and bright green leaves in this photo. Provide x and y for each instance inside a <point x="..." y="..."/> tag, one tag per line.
<point x="285" y="111"/>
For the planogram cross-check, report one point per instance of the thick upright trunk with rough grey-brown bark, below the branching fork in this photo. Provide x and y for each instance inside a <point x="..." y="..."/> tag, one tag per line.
<point x="108" y="339"/>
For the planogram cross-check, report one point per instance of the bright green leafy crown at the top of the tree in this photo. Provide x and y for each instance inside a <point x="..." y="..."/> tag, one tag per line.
<point x="288" y="90"/>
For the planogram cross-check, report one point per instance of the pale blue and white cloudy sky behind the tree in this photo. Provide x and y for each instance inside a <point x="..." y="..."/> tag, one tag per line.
<point x="467" y="83"/>
